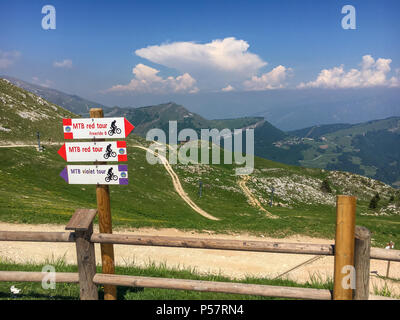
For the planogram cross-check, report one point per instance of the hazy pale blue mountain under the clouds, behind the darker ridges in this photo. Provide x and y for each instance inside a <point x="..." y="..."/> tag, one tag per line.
<point x="292" y="109"/>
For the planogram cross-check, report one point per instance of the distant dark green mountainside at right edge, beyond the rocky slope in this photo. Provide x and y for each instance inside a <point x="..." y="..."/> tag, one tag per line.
<point x="371" y="149"/>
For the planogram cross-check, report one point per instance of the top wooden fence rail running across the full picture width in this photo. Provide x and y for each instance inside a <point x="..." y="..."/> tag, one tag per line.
<point x="199" y="243"/>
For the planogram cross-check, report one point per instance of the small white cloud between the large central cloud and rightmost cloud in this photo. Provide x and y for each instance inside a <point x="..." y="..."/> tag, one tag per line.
<point x="275" y="79"/>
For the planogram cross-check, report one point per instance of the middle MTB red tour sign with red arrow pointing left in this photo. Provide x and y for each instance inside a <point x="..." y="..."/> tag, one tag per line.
<point x="94" y="151"/>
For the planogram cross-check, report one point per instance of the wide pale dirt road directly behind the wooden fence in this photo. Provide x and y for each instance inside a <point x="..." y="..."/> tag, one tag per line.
<point x="233" y="264"/>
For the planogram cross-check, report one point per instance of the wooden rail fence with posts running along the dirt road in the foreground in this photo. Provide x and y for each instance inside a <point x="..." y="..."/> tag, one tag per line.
<point x="81" y="225"/>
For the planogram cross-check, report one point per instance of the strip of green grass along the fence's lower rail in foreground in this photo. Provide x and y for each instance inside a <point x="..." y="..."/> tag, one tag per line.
<point x="64" y="291"/>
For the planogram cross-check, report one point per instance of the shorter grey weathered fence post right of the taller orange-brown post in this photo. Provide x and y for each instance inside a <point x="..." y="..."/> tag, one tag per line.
<point x="362" y="248"/>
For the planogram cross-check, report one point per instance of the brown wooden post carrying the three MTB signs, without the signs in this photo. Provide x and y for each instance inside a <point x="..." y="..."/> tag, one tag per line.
<point x="105" y="224"/>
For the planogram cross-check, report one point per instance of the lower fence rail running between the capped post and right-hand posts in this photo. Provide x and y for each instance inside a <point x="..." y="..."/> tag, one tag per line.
<point x="213" y="286"/>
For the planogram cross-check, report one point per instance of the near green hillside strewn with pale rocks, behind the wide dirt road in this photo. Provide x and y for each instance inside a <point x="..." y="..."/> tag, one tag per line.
<point x="33" y="192"/>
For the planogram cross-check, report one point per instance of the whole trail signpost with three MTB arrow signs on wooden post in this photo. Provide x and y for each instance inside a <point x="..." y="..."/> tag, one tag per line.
<point x="100" y="173"/>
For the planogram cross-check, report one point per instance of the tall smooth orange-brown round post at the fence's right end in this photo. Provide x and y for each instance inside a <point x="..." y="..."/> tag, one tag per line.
<point x="344" y="247"/>
